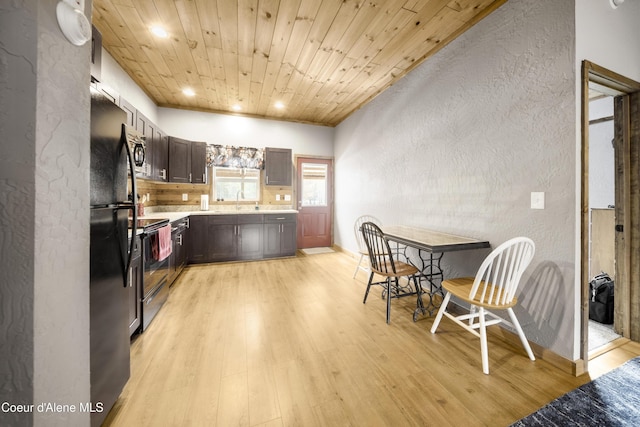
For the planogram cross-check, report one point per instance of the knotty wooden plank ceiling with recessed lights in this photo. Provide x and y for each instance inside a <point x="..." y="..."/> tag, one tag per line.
<point x="322" y="59"/>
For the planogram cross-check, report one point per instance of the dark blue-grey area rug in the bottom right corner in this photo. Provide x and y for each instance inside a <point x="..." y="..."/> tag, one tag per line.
<point x="610" y="400"/>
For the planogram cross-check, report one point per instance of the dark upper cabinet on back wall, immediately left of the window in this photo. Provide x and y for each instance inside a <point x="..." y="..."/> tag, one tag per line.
<point x="187" y="161"/>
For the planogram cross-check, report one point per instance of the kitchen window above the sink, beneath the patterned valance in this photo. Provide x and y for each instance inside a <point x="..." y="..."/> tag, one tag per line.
<point x="227" y="182"/>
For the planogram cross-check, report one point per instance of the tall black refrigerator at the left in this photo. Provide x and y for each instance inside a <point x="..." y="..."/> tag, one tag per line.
<point x="110" y="255"/>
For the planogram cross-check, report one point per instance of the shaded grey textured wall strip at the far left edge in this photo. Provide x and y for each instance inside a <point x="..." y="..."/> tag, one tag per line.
<point x="17" y="205"/>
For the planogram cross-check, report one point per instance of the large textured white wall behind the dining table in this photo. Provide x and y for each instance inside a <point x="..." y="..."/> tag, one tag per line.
<point x="460" y="143"/>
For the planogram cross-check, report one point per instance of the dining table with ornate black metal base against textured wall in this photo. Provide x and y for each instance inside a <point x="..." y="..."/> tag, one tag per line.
<point x="431" y="245"/>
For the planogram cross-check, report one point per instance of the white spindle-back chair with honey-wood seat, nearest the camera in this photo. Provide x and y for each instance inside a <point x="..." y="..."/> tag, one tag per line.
<point x="493" y="288"/>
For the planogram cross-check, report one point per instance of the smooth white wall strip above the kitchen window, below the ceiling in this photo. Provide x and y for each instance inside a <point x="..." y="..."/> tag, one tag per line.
<point x="246" y="131"/>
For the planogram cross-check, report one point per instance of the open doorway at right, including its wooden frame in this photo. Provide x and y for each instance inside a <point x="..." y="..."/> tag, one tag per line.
<point x="610" y="213"/>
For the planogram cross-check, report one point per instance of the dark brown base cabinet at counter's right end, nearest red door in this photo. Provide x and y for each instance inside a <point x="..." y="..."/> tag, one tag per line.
<point x="280" y="238"/>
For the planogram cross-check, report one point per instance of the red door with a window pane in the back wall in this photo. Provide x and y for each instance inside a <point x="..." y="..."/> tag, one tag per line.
<point x="315" y="202"/>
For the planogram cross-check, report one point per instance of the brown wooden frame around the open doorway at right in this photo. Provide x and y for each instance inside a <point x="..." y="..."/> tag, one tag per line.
<point x="607" y="79"/>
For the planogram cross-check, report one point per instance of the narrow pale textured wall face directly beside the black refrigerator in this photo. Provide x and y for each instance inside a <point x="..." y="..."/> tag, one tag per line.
<point x="61" y="330"/>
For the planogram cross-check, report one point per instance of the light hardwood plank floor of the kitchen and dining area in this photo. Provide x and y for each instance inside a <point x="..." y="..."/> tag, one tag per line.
<point x="289" y="343"/>
